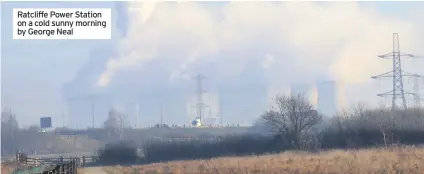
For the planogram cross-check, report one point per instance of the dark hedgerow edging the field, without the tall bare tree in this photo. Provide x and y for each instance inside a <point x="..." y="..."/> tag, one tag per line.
<point x="356" y="128"/>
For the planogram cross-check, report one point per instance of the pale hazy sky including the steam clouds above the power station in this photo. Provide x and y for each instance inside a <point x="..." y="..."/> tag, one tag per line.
<point x="284" y="42"/>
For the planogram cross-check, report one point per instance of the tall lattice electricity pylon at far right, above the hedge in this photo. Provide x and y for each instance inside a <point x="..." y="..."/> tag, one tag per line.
<point x="397" y="74"/>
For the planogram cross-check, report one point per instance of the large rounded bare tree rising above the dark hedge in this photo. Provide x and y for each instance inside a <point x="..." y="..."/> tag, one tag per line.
<point x="291" y="117"/>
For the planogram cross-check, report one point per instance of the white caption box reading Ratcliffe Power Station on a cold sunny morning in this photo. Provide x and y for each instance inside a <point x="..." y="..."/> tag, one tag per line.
<point x="62" y="23"/>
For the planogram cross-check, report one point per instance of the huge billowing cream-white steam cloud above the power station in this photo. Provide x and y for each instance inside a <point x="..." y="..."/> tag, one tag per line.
<point x="309" y="39"/>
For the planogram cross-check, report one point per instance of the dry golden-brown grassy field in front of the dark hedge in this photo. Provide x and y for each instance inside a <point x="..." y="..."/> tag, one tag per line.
<point x="393" y="160"/>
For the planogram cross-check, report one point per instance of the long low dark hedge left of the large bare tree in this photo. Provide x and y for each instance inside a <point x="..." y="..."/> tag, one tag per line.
<point x="200" y="148"/>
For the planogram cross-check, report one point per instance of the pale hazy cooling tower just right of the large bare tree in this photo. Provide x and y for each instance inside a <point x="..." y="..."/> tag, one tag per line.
<point x="327" y="97"/>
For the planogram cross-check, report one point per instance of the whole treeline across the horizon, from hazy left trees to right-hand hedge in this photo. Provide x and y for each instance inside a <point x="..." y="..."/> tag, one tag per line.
<point x="290" y="124"/>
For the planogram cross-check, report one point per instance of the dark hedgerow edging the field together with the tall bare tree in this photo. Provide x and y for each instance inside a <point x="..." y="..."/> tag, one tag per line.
<point x="293" y="124"/>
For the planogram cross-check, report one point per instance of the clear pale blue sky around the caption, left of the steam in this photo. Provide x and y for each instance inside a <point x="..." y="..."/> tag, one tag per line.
<point x="34" y="71"/>
